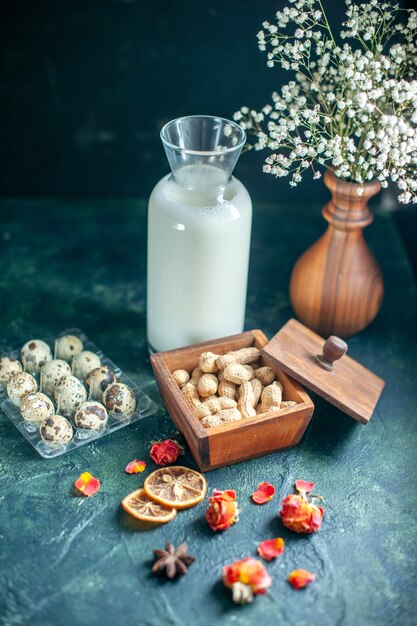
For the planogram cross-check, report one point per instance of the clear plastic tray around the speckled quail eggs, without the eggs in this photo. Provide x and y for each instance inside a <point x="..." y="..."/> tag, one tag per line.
<point x="30" y="430"/>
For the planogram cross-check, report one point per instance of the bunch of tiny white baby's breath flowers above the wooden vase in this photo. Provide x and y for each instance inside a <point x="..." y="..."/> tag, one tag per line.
<point x="352" y="107"/>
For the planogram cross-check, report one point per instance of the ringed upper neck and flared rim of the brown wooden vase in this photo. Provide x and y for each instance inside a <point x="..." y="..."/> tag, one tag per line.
<point x="348" y="210"/>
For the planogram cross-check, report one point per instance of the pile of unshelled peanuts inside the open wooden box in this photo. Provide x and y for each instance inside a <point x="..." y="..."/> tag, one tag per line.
<point x="229" y="387"/>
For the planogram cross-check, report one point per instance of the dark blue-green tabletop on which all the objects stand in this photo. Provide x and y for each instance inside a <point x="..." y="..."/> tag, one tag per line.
<point x="66" y="561"/>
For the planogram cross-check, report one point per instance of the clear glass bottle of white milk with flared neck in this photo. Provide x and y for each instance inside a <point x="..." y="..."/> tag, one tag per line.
<point x="199" y="226"/>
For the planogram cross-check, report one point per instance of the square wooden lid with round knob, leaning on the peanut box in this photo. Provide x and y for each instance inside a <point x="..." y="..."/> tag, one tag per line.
<point x="323" y="367"/>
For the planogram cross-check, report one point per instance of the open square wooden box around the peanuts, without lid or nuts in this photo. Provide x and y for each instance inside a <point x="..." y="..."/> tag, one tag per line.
<point x="237" y="441"/>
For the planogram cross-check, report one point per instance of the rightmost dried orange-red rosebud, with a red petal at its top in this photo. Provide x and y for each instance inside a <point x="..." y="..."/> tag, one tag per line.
<point x="300" y="514"/>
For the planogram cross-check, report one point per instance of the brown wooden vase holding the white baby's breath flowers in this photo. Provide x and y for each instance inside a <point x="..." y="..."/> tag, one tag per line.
<point x="336" y="286"/>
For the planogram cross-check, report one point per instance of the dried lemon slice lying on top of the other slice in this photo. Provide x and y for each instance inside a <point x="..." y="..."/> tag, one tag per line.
<point x="176" y="486"/>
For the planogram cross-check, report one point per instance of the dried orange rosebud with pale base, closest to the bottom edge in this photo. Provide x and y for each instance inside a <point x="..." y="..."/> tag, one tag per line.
<point x="246" y="578"/>
